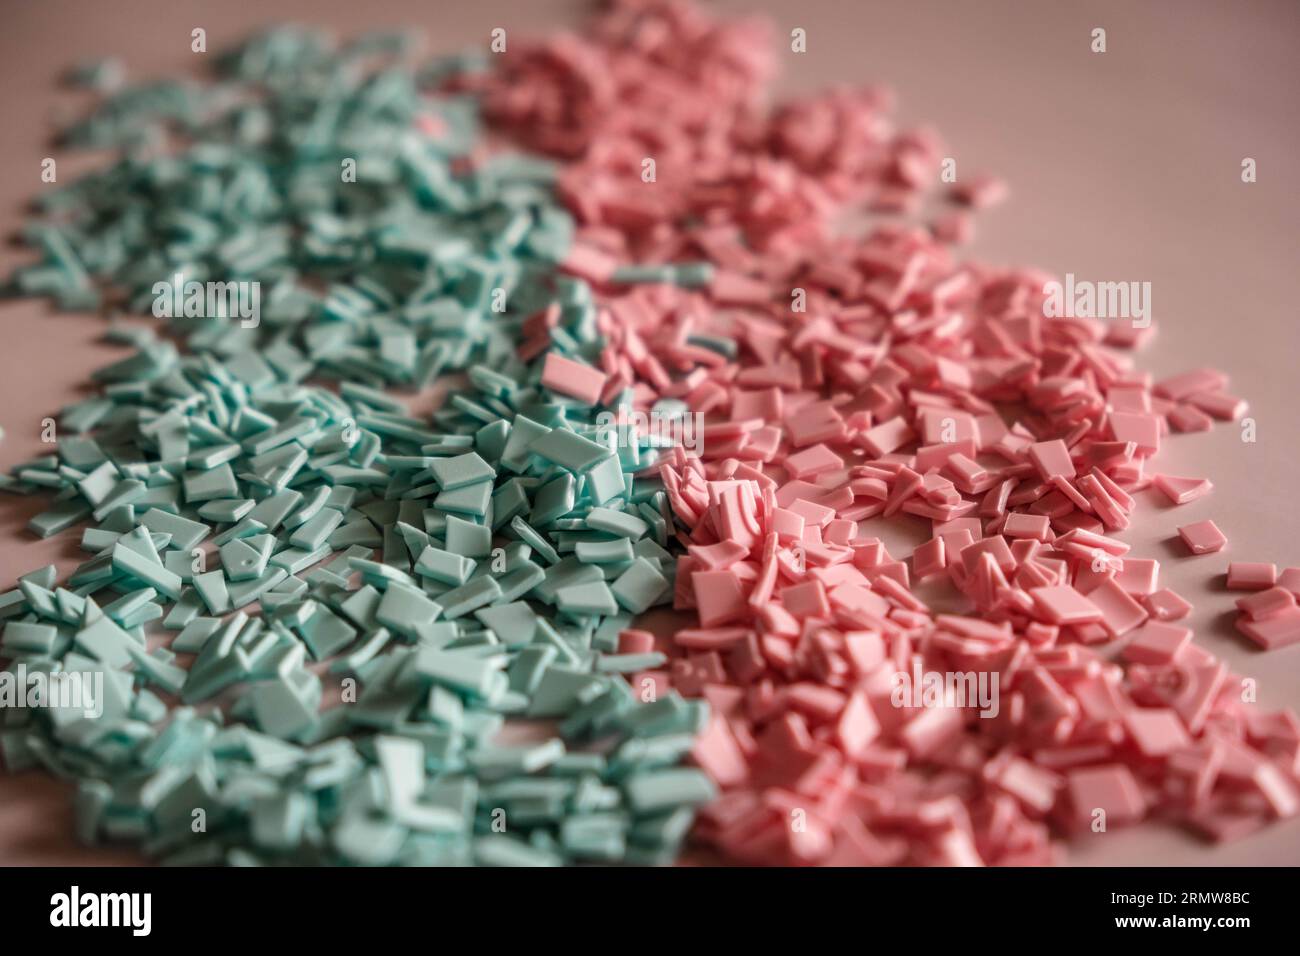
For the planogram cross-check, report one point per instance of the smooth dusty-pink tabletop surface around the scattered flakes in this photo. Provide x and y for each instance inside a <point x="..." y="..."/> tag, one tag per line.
<point x="1124" y="167"/>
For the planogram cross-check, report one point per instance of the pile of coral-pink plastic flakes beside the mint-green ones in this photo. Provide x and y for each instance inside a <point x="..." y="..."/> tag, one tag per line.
<point x="876" y="379"/>
